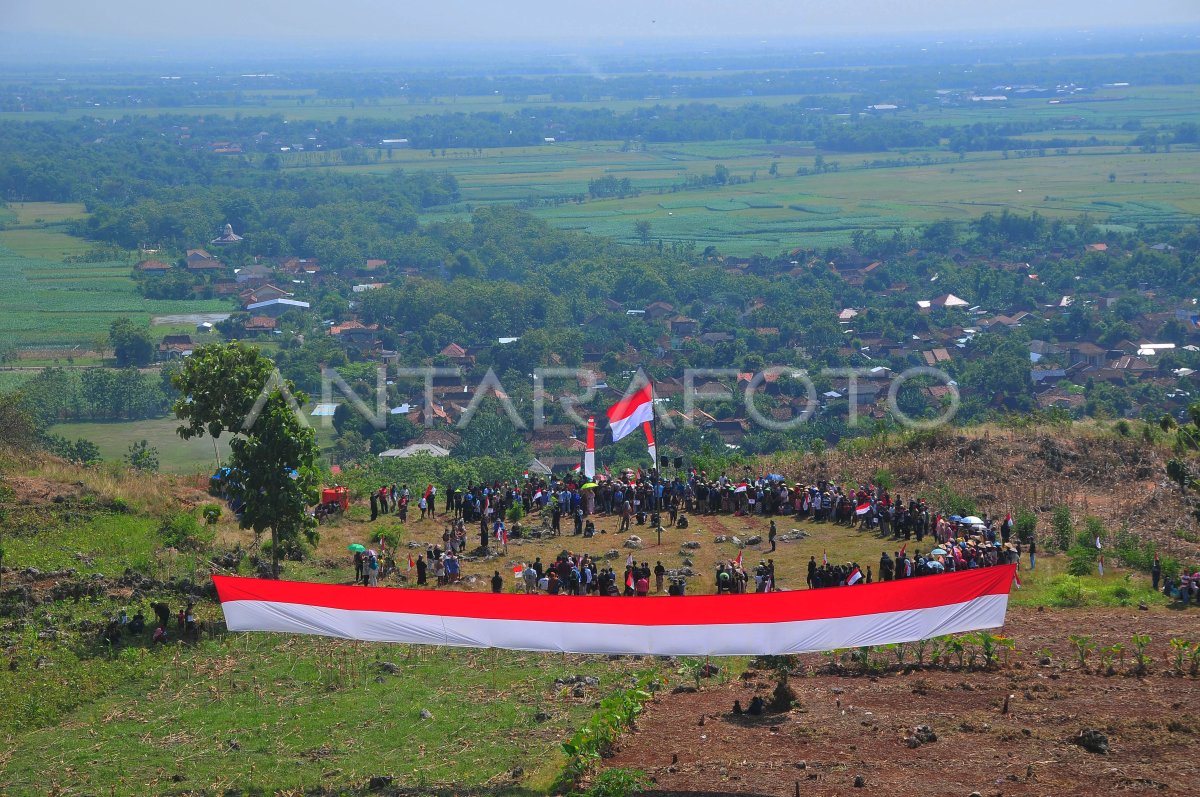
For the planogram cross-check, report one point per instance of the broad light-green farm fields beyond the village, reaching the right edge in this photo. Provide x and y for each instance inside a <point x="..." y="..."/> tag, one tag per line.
<point x="758" y="213"/>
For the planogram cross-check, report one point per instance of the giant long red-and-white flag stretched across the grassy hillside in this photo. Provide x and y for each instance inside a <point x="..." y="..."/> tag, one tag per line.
<point x="746" y="625"/>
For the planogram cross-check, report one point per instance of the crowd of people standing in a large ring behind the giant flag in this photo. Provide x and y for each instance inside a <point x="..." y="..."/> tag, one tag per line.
<point x="638" y="499"/>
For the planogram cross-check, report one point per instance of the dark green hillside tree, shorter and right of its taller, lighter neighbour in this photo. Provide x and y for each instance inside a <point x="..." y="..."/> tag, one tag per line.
<point x="277" y="478"/>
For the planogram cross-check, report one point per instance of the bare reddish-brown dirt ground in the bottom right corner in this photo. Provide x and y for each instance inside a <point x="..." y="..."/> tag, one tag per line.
<point x="850" y="727"/>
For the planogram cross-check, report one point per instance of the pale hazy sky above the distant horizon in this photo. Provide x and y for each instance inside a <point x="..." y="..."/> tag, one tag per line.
<point x="571" y="21"/>
